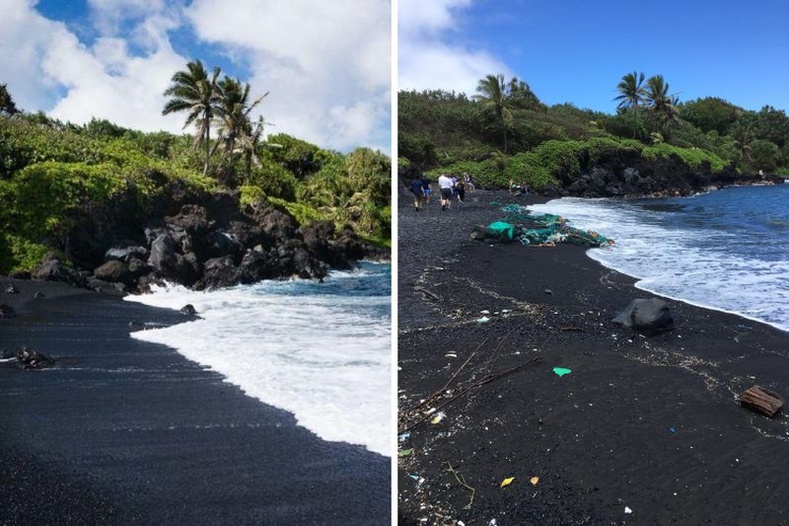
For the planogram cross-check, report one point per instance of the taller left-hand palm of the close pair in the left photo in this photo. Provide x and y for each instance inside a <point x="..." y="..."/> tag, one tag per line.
<point x="194" y="92"/>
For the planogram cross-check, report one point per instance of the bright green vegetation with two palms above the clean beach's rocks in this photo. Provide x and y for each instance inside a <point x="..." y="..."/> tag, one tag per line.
<point x="55" y="175"/>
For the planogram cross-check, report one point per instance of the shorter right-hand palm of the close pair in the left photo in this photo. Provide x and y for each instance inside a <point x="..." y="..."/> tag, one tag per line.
<point x="234" y="125"/>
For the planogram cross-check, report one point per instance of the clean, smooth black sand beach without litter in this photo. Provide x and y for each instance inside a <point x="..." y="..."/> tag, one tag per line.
<point x="122" y="431"/>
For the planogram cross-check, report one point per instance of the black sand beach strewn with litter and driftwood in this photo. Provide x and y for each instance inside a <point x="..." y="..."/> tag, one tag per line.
<point x="650" y="425"/>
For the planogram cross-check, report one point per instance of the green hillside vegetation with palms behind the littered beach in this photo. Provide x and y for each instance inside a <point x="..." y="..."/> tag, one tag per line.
<point x="504" y="132"/>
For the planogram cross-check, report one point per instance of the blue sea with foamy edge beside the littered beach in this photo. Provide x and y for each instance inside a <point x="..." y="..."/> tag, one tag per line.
<point x="727" y="250"/>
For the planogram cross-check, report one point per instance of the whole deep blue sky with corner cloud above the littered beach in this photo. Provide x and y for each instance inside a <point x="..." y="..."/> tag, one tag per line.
<point x="577" y="51"/>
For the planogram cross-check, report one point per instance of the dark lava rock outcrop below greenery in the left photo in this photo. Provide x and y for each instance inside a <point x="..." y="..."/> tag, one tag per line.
<point x="199" y="240"/>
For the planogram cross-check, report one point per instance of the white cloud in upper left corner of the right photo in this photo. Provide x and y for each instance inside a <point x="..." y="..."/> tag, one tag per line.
<point x="431" y="50"/>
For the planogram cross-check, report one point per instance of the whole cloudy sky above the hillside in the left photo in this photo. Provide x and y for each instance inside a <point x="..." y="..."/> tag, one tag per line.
<point x="326" y="65"/>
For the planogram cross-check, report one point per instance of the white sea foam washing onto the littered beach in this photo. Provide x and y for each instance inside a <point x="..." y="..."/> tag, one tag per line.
<point x="696" y="265"/>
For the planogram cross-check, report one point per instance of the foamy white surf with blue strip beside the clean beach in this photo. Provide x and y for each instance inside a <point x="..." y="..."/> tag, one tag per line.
<point x="319" y="350"/>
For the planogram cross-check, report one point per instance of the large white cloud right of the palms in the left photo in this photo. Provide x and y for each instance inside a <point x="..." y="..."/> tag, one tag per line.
<point x="326" y="64"/>
